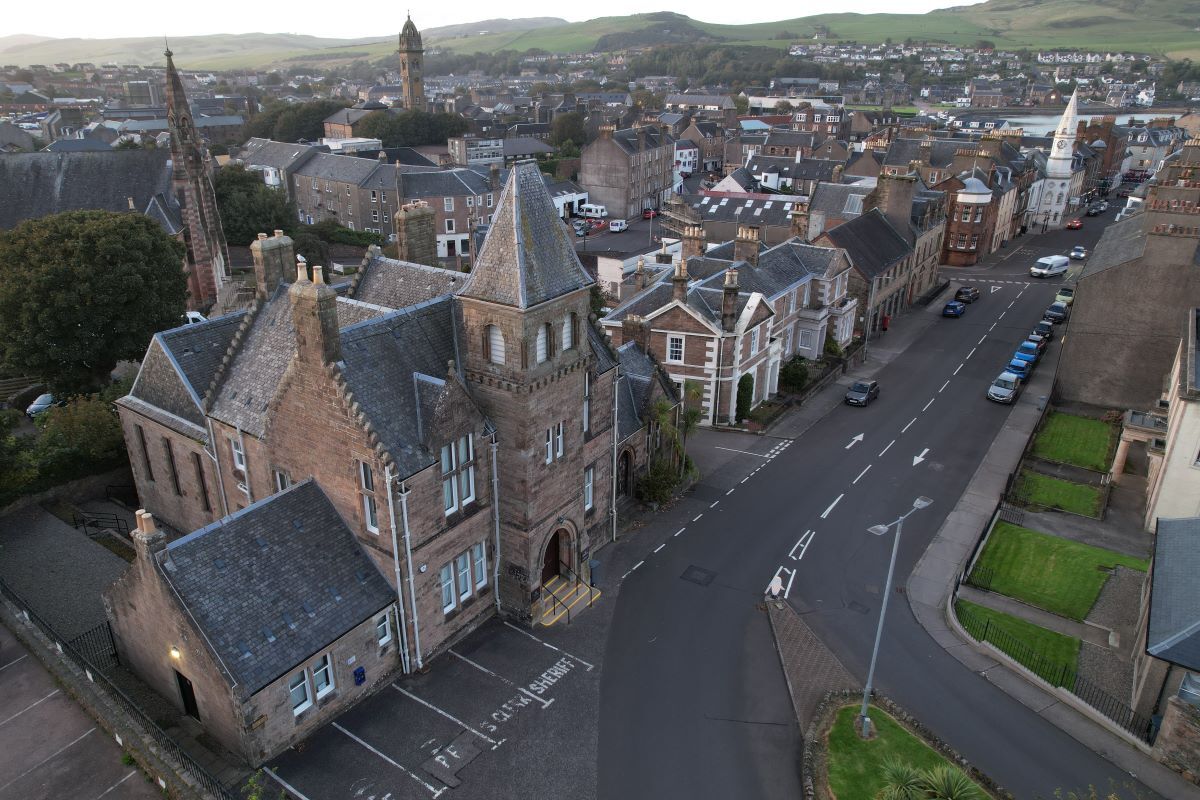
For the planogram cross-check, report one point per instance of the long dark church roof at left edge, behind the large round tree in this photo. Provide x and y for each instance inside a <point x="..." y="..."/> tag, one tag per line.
<point x="38" y="184"/>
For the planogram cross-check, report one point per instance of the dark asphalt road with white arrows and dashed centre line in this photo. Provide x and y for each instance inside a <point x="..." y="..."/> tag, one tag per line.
<point x="693" y="703"/>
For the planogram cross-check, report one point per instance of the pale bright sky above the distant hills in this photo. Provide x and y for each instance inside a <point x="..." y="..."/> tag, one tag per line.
<point x="88" y="20"/>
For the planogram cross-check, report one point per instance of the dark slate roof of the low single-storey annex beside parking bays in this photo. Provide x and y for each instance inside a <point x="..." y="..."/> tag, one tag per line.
<point x="274" y="585"/>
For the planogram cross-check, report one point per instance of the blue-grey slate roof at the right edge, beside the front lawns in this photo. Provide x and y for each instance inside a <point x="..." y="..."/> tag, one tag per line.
<point x="1174" y="630"/>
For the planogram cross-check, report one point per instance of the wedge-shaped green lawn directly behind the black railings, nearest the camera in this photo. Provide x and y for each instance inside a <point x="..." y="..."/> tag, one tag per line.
<point x="1046" y="653"/>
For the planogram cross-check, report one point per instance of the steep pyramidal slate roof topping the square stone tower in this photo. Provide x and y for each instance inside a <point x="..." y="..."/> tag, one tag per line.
<point x="527" y="257"/>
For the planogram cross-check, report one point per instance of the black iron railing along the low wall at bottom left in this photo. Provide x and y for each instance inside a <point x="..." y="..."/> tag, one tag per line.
<point x="98" y="643"/>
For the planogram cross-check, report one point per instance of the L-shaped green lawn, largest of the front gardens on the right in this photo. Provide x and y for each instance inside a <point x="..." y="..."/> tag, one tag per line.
<point x="1059" y="575"/>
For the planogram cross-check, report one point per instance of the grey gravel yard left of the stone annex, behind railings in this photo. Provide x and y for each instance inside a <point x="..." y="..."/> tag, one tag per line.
<point x="57" y="570"/>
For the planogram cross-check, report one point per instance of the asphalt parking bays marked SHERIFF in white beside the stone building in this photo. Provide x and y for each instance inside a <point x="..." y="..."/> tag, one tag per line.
<point x="500" y="707"/>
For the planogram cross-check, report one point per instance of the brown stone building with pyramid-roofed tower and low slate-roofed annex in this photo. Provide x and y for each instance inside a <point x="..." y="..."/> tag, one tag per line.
<point x="410" y="455"/>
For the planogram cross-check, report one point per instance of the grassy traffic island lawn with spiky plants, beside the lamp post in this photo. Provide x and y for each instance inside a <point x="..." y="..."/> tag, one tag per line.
<point x="855" y="765"/>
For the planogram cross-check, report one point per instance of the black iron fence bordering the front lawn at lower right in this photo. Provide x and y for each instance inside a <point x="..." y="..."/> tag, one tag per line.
<point x="1054" y="672"/>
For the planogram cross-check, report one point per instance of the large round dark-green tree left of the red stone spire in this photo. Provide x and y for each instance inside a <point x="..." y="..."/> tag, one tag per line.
<point x="85" y="290"/>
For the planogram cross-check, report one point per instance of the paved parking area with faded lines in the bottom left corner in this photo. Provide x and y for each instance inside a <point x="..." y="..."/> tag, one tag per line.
<point x="50" y="748"/>
